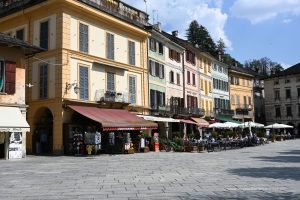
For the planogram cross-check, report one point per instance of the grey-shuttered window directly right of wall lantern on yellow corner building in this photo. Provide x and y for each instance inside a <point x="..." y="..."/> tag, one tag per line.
<point x="84" y="82"/>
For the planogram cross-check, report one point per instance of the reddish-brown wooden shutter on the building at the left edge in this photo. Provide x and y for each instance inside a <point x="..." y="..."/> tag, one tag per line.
<point x="10" y="77"/>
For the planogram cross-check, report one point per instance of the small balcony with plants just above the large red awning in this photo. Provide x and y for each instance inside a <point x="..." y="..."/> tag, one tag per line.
<point x="112" y="96"/>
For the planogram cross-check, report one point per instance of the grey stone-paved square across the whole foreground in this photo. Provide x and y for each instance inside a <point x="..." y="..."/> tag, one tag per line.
<point x="265" y="172"/>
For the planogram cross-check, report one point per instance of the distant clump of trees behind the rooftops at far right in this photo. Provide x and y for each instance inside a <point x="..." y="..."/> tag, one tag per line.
<point x="263" y="66"/>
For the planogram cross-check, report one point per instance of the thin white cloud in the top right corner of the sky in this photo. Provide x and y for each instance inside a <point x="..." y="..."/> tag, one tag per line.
<point x="257" y="11"/>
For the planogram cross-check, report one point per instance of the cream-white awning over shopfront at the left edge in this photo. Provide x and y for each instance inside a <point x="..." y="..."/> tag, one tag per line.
<point x="11" y="119"/>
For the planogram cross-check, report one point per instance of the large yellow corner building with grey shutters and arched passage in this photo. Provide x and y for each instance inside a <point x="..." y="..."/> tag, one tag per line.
<point x="89" y="52"/>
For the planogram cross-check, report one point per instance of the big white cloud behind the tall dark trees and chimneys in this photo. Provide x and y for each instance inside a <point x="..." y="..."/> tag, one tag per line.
<point x="177" y="15"/>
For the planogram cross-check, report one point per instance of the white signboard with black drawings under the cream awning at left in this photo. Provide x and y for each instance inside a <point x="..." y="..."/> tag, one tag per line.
<point x="15" y="145"/>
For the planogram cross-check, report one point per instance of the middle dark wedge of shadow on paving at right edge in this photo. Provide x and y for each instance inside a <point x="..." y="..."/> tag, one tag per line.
<point x="292" y="173"/>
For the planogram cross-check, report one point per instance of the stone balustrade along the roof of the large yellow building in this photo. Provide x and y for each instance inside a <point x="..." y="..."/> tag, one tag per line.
<point x="120" y="10"/>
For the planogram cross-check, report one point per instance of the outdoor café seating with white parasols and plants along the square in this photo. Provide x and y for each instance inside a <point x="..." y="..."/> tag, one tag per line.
<point x="228" y="136"/>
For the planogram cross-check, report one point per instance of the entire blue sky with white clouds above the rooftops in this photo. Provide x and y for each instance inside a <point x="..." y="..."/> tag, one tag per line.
<point x="251" y="29"/>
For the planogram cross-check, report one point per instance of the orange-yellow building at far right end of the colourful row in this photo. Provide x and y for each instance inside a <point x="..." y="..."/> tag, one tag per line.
<point x="241" y="94"/>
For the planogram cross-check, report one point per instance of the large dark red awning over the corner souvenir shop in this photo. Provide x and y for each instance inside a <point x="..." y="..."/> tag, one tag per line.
<point x="114" y="119"/>
